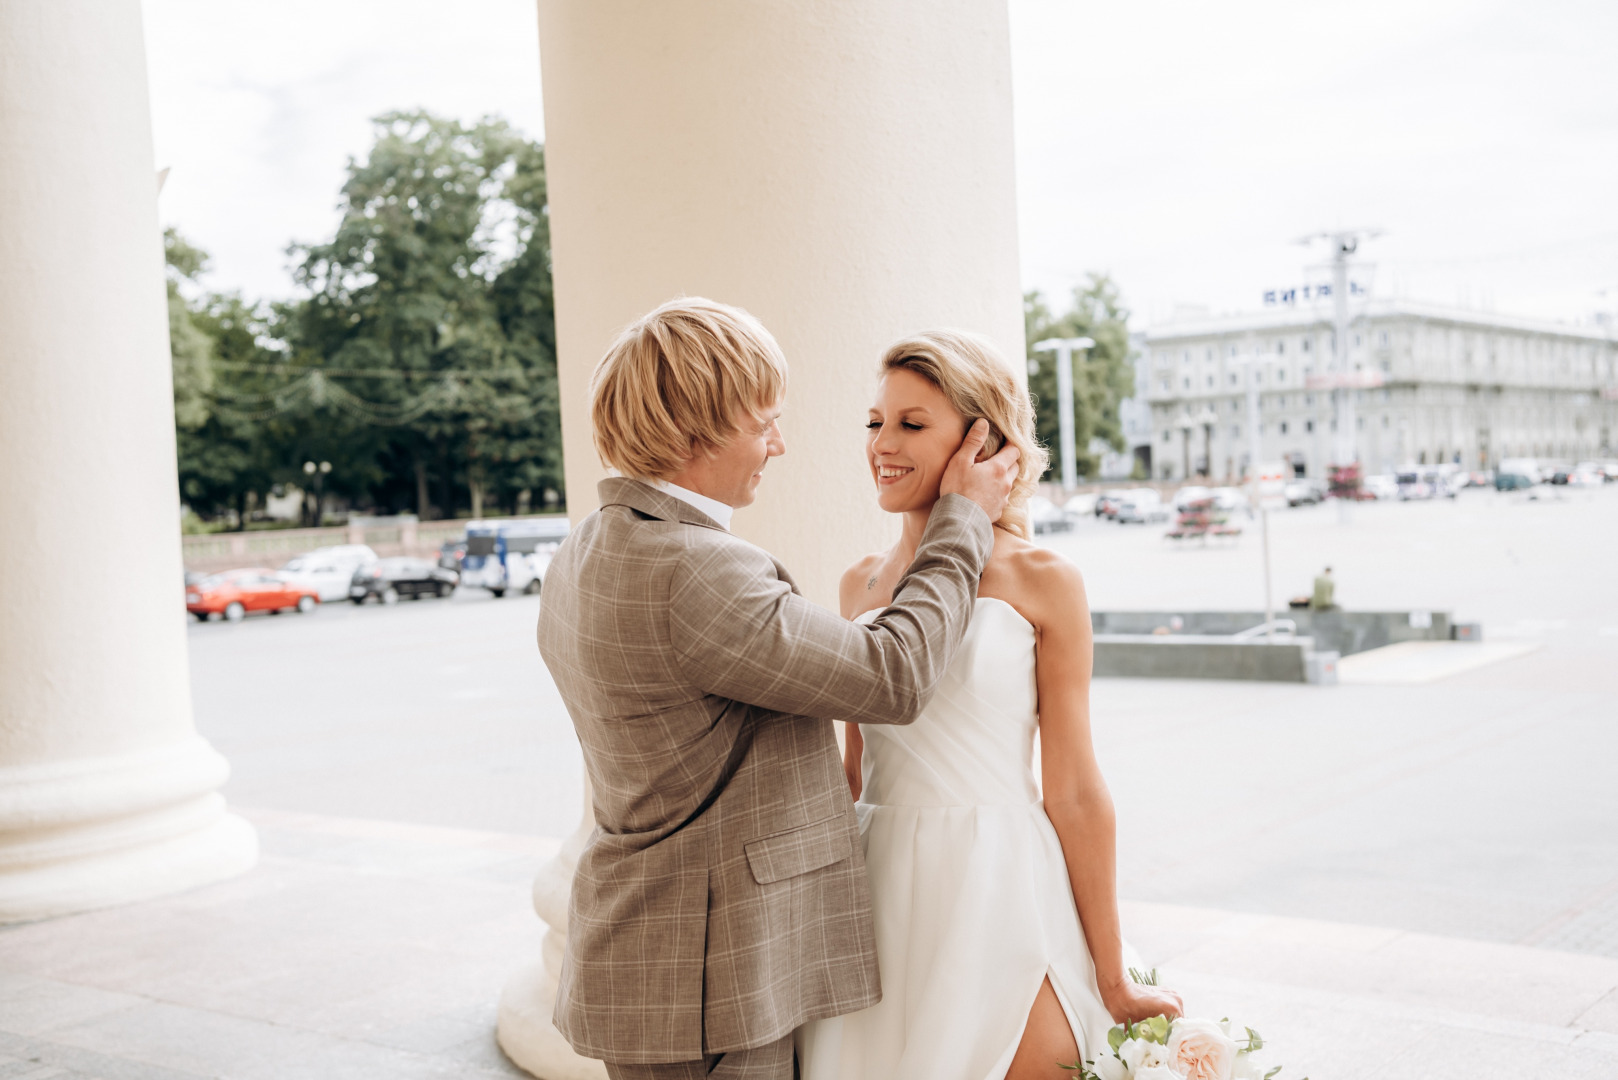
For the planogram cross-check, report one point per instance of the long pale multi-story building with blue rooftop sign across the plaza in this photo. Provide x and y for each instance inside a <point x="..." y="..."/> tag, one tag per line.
<point x="1455" y="386"/>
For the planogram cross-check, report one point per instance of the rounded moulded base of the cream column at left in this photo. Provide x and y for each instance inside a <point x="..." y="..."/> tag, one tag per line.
<point x="95" y="833"/>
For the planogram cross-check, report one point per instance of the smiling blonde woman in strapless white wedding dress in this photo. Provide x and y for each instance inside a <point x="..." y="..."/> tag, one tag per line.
<point x="996" y="909"/>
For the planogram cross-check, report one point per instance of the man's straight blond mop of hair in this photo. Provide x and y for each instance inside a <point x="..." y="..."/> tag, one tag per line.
<point x="680" y="381"/>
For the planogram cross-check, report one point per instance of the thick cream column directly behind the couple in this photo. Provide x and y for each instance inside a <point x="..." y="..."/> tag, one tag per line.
<point x="842" y="169"/>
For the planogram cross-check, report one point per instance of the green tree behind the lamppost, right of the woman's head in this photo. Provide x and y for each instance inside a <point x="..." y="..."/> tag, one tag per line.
<point x="1103" y="378"/>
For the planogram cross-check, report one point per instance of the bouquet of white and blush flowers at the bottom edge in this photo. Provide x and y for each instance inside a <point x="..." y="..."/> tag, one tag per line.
<point x="1177" y="1050"/>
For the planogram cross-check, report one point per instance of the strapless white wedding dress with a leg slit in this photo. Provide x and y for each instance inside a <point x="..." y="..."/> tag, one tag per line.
<point x="970" y="891"/>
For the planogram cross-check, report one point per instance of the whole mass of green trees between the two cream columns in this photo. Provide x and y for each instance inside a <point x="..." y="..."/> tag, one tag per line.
<point x="420" y="360"/>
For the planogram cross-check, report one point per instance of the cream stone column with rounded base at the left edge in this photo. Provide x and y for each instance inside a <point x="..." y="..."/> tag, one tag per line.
<point x="106" y="791"/>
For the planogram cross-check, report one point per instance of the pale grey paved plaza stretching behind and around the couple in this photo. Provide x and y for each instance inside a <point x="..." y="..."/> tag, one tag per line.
<point x="1391" y="878"/>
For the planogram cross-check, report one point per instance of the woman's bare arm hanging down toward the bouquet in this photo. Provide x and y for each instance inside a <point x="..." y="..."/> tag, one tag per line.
<point x="1077" y="797"/>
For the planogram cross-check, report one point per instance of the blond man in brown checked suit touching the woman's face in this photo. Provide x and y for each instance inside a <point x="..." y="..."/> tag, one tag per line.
<point x="722" y="899"/>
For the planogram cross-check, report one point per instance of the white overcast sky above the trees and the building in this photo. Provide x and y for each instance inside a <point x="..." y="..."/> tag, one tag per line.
<point x="1182" y="148"/>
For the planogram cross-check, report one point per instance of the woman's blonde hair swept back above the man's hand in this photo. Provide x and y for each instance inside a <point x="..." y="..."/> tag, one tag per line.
<point x="980" y="383"/>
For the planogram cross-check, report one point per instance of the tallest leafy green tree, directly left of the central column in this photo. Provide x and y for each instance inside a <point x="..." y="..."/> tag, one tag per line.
<point x="439" y="276"/>
